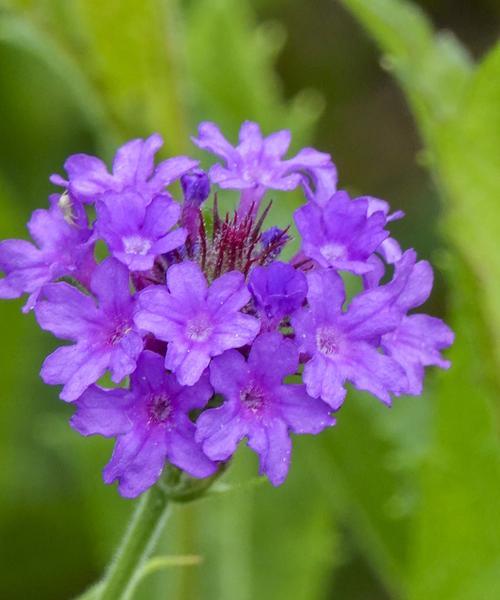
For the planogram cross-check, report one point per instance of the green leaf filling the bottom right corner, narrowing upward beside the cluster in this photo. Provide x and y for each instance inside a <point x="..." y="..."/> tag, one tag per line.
<point x="457" y="548"/>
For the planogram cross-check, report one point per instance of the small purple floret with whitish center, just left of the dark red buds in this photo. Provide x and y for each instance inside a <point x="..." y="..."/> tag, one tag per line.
<point x="135" y="233"/>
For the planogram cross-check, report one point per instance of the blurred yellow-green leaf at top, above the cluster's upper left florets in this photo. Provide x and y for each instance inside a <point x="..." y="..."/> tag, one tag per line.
<point x="137" y="69"/>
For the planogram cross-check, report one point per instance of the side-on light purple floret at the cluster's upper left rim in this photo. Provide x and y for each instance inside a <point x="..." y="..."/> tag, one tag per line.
<point x="133" y="169"/>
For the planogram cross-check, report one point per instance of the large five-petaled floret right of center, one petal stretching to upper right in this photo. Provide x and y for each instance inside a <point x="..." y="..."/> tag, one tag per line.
<point x="344" y="346"/>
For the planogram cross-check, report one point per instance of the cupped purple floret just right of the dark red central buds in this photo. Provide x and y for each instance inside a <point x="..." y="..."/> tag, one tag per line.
<point x="340" y="234"/>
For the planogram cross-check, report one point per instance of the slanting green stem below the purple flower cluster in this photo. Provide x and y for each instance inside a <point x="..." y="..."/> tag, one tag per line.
<point x="138" y="543"/>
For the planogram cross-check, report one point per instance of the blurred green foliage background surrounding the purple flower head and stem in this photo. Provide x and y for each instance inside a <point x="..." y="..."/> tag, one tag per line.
<point x="390" y="504"/>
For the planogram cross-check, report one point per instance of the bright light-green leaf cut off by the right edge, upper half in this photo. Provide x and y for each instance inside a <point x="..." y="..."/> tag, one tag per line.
<point x="469" y="163"/>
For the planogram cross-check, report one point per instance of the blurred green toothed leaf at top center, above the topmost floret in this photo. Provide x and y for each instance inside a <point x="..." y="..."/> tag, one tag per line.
<point x="230" y="63"/>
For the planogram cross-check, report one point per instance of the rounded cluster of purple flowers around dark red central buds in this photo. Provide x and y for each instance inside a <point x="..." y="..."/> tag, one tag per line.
<point x="211" y="337"/>
